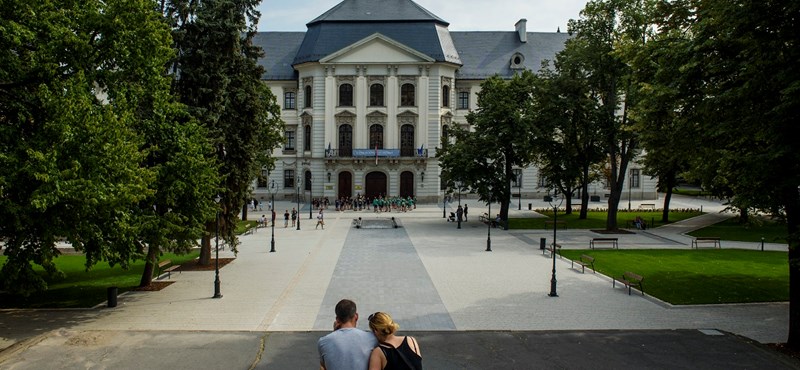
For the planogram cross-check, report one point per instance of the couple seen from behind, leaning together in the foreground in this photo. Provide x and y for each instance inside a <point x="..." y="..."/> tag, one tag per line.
<point x="348" y="347"/>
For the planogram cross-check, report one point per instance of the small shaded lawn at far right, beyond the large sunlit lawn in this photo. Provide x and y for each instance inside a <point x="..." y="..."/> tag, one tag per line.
<point x="771" y="231"/>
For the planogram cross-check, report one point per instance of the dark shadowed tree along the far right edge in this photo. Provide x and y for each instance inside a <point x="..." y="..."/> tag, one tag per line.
<point x="743" y="53"/>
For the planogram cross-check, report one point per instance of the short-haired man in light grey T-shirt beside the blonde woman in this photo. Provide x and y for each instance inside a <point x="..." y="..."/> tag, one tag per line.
<point x="347" y="347"/>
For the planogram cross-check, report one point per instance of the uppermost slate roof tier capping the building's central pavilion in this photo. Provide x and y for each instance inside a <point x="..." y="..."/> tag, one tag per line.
<point x="377" y="11"/>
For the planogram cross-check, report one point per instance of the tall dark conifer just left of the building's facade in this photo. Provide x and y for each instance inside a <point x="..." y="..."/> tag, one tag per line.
<point x="220" y="81"/>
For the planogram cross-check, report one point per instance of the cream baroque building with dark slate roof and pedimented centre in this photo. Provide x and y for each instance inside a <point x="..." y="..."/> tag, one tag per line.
<point x="367" y="91"/>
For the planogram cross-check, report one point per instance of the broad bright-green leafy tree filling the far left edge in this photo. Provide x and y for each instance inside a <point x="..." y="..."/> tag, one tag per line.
<point x="76" y="81"/>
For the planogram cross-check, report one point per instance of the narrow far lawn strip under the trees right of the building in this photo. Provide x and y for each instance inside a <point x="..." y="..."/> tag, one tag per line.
<point x="597" y="219"/>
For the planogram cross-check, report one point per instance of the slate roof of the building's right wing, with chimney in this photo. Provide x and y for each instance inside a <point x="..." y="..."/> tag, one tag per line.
<point x="484" y="54"/>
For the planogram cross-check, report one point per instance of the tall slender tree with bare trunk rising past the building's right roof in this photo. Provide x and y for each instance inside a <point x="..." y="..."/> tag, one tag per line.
<point x="605" y="28"/>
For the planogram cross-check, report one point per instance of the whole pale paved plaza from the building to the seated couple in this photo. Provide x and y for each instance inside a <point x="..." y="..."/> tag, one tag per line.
<point x="438" y="282"/>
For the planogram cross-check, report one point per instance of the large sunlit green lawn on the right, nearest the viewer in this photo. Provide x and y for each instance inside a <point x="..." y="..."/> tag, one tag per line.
<point x="699" y="276"/>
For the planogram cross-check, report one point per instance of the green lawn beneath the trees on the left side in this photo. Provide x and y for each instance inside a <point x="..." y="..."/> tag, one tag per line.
<point x="81" y="288"/>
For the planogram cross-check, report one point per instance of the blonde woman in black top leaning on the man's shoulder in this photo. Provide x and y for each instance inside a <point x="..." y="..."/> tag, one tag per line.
<point x="393" y="352"/>
